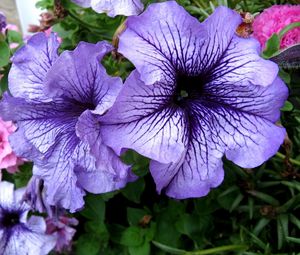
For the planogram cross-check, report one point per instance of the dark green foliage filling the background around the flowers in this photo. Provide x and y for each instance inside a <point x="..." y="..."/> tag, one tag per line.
<point x="254" y="211"/>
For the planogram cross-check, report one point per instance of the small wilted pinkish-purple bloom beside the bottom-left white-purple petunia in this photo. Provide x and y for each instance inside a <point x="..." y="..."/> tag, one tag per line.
<point x="61" y="228"/>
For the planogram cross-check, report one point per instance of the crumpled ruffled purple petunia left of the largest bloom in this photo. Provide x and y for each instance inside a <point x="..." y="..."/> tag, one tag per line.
<point x="55" y="104"/>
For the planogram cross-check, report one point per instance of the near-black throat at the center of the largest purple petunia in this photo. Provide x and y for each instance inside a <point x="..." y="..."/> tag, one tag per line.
<point x="188" y="87"/>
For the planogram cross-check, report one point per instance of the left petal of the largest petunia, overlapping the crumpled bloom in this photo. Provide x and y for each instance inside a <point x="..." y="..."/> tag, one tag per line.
<point x="139" y="120"/>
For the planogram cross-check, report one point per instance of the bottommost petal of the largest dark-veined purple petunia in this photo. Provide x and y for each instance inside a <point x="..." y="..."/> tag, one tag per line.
<point x="199" y="170"/>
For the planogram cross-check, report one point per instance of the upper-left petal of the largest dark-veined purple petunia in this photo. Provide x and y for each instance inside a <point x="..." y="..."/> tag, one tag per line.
<point x="162" y="45"/>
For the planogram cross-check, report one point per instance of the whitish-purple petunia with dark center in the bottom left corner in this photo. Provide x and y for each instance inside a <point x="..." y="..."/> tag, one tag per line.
<point x="17" y="234"/>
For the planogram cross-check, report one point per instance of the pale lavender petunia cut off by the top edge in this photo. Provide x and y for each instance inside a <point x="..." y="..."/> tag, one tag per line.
<point x="113" y="7"/>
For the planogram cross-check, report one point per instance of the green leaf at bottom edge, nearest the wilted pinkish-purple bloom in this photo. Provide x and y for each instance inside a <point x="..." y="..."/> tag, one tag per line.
<point x="88" y="244"/>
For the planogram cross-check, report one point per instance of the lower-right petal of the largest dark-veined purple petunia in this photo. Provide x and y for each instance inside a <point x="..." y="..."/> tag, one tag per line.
<point x="247" y="137"/>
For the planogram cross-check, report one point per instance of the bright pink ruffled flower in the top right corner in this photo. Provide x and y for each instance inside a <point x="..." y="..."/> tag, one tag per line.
<point x="275" y="18"/>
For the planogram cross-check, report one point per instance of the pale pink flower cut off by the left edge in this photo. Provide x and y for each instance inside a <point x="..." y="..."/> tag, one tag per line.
<point x="8" y="159"/>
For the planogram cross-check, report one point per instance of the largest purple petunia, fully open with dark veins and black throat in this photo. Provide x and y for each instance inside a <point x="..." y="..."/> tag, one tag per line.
<point x="199" y="92"/>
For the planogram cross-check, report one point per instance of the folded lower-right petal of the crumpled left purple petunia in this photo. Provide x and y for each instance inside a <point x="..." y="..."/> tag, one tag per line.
<point x="103" y="170"/>
